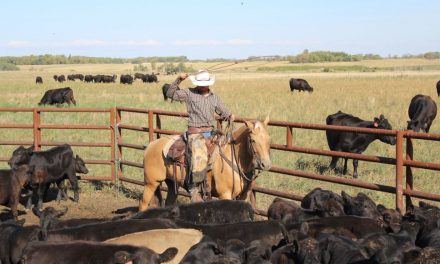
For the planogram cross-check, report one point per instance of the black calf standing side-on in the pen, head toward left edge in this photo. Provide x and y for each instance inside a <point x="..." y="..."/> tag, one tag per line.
<point x="51" y="165"/>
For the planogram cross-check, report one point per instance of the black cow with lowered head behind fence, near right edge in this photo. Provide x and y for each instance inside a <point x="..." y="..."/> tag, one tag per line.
<point x="422" y="111"/>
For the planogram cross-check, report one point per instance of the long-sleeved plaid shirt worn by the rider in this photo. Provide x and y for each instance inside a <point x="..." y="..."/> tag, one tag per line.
<point x="200" y="108"/>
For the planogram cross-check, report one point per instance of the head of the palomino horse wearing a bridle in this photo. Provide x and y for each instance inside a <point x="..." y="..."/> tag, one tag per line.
<point x="259" y="143"/>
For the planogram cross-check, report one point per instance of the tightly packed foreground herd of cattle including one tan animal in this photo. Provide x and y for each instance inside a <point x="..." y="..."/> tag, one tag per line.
<point x="325" y="228"/>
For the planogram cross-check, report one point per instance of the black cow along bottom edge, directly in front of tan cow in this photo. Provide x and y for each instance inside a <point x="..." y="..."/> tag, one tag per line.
<point x="81" y="252"/>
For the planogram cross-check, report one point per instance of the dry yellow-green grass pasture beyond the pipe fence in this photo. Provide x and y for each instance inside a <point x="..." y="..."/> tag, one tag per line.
<point x="253" y="90"/>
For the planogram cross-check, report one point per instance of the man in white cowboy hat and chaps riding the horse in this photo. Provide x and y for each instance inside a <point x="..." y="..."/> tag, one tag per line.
<point x="201" y="105"/>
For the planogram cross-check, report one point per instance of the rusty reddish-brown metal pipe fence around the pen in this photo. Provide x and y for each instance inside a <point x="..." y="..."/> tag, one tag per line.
<point x="153" y="126"/>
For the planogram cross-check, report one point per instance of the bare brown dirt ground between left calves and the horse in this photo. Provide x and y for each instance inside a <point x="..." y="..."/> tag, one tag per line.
<point x="96" y="201"/>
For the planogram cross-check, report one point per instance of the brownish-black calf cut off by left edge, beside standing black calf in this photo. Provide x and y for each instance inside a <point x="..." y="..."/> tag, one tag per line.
<point x="11" y="183"/>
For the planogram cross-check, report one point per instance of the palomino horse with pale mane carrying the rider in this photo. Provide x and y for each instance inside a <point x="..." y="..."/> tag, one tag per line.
<point x="232" y="172"/>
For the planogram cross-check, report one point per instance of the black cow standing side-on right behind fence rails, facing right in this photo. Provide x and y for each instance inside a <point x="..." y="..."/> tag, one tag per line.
<point x="354" y="142"/>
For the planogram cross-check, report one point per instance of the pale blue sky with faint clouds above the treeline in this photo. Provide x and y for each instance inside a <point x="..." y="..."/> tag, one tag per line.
<point x="217" y="29"/>
